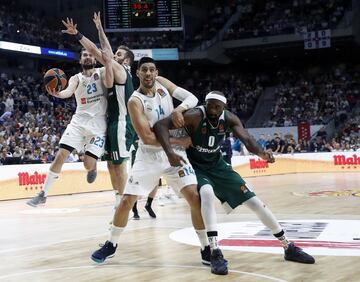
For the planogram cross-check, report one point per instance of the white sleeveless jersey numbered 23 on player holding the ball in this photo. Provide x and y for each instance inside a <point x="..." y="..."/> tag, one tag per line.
<point x="91" y="95"/>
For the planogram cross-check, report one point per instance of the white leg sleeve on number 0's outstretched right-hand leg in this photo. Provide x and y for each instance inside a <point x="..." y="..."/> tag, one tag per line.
<point x="264" y="214"/>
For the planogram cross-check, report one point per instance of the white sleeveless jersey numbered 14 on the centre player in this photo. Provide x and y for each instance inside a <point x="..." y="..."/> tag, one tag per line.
<point x="157" y="107"/>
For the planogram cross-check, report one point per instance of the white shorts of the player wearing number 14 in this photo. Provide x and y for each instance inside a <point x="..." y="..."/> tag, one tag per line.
<point x="150" y="165"/>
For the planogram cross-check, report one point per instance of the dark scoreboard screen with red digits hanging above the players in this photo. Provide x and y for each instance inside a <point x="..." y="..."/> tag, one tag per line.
<point x="142" y="15"/>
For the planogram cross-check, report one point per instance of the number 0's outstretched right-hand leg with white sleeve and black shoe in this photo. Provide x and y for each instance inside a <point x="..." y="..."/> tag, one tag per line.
<point x="292" y="252"/>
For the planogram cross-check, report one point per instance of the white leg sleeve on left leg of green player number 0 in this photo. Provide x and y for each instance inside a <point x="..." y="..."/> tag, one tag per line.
<point x="208" y="212"/>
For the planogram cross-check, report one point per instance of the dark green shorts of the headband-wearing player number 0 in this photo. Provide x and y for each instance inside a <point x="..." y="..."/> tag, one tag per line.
<point x="228" y="185"/>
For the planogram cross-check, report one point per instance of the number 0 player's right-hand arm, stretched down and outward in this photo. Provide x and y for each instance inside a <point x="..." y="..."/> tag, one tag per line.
<point x="249" y="142"/>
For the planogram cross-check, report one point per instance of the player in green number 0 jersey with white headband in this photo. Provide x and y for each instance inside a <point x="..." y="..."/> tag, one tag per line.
<point x="207" y="126"/>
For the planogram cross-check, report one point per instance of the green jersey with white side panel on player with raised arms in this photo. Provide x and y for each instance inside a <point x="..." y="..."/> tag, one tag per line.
<point x="118" y="98"/>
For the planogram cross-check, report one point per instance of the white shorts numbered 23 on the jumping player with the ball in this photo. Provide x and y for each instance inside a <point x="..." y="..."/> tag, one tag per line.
<point x="86" y="134"/>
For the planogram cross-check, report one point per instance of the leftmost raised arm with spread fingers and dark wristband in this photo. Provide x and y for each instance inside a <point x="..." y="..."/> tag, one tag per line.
<point x="90" y="46"/>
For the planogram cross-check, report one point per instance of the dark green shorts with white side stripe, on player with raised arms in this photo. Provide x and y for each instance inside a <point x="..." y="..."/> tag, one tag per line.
<point x="119" y="138"/>
